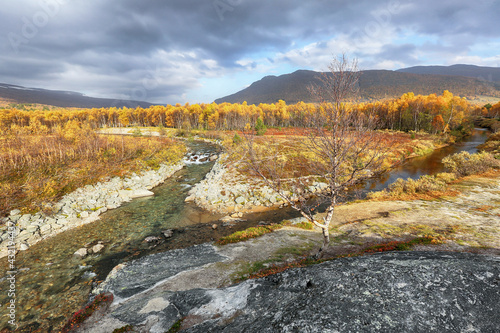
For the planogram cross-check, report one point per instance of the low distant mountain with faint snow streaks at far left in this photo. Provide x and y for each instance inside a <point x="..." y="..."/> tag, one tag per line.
<point x="19" y="95"/>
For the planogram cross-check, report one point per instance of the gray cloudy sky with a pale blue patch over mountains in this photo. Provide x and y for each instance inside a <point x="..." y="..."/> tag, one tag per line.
<point x="177" y="51"/>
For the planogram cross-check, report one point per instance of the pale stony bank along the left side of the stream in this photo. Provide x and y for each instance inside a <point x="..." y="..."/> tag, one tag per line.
<point x="80" y="207"/>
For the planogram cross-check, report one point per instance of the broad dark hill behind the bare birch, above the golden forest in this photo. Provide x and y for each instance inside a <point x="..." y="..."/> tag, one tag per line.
<point x="373" y="84"/>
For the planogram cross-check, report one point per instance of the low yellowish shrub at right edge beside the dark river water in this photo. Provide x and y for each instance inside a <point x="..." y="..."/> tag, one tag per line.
<point x="465" y="164"/>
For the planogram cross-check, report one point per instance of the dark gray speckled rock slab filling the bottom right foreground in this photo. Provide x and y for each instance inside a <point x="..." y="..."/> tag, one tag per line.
<point x="391" y="292"/>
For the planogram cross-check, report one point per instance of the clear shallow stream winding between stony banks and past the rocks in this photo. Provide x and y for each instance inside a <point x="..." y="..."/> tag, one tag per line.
<point x="51" y="284"/>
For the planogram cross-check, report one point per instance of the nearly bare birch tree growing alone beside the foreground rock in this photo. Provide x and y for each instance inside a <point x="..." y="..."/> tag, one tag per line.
<point x="337" y="150"/>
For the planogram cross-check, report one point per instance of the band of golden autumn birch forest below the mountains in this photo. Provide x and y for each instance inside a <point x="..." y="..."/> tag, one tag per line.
<point x="410" y="112"/>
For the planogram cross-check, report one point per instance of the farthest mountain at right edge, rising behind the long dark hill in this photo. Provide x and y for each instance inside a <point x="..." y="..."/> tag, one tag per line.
<point x="490" y="74"/>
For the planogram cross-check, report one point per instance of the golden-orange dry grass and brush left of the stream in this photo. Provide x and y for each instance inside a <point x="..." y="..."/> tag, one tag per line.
<point x="39" y="167"/>
